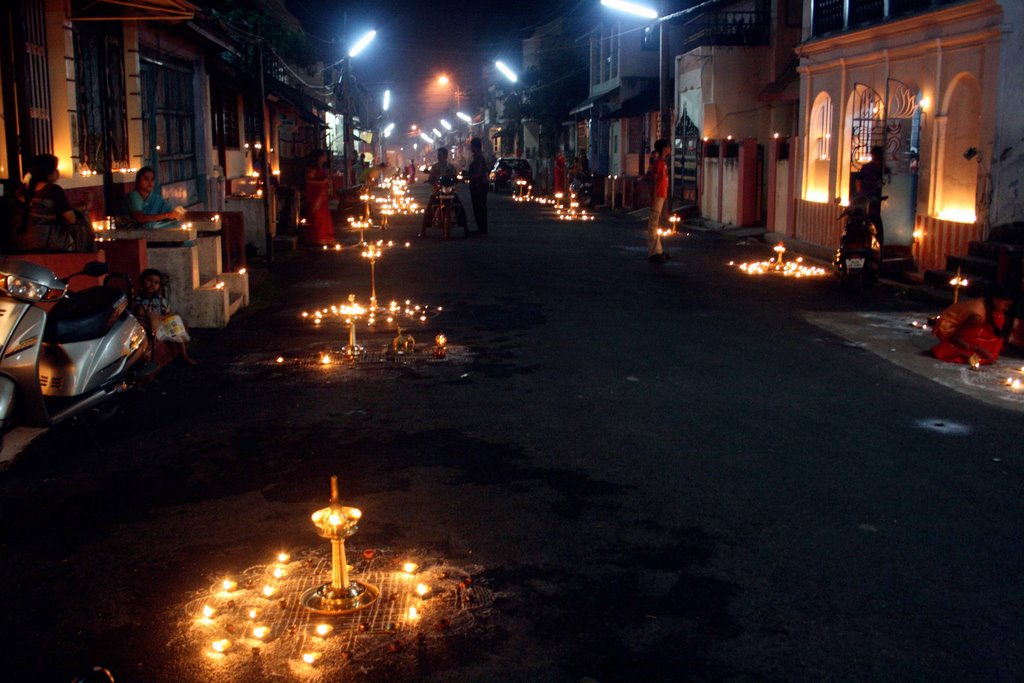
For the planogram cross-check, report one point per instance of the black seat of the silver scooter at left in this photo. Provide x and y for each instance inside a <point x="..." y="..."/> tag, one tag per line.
<point x="87" y="315"/>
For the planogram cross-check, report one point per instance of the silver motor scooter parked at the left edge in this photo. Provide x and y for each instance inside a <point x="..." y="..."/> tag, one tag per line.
<point x="58" y="362"/>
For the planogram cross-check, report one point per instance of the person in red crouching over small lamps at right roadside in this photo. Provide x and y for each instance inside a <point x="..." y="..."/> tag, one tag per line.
<point x="973" y="328"/>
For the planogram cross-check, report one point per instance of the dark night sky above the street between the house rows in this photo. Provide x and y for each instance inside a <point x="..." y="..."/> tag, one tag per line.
<point x="416" y="41"/>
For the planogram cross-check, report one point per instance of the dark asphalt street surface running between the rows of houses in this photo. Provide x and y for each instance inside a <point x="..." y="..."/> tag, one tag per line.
<point x="666" y="473"/>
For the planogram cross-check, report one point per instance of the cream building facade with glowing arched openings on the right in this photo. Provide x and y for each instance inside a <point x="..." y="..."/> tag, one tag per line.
<point x="920" y="79"/>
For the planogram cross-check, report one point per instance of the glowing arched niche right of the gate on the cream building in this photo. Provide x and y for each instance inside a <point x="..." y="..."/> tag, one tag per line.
<point x="961" y="139"/>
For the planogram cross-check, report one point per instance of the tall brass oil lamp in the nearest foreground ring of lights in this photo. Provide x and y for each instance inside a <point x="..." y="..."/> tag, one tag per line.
<point x="340" y="595"/>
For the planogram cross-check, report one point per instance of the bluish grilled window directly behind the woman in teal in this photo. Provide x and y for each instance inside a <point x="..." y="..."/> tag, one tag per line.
<point x="169" y="123"/>
